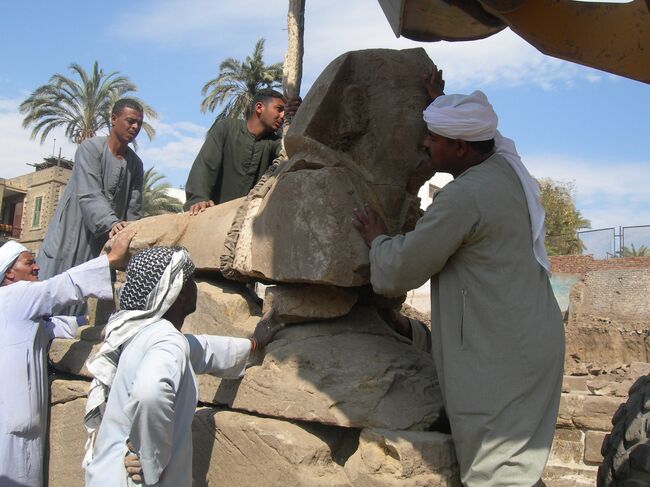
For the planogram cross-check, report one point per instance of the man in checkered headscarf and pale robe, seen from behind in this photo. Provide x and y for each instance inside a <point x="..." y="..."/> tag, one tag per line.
<point x="145" y="388"/>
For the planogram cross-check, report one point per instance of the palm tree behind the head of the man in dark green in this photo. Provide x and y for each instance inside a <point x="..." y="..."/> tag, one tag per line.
<point x="238" y="82"/>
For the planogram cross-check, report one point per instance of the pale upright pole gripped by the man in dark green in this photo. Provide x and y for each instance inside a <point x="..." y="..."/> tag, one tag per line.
<point x="292" y="71"/>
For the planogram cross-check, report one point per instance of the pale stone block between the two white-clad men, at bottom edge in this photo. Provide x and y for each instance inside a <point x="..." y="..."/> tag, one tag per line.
<point x="66" y="443"/>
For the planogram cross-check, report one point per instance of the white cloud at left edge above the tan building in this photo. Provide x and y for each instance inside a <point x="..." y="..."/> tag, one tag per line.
<point x="17" y="147"/>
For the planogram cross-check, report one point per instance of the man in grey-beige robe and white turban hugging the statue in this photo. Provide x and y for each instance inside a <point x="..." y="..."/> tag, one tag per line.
<point x="497" y="335"/>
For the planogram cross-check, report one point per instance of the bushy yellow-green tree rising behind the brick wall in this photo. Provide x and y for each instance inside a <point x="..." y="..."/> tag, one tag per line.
<point x="563" y="219"/>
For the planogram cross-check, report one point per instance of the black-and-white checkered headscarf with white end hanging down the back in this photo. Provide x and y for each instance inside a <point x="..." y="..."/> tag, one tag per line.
<point x="154" y="279"/>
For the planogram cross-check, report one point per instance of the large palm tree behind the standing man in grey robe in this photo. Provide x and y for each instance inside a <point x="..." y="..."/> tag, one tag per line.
<point x="82" y="108"/>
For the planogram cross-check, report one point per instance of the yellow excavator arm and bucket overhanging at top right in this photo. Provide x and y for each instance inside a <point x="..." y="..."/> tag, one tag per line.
<point x="613" y="37"/>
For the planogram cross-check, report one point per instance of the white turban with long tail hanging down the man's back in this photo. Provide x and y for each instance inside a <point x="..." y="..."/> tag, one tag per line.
<point x="472" y="118"/>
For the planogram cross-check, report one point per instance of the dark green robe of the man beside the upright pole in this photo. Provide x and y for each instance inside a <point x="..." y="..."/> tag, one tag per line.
<point x="230" y="162"/>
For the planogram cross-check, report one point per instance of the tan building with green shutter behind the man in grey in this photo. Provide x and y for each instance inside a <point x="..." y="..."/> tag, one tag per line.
<point x="27" y="202"/>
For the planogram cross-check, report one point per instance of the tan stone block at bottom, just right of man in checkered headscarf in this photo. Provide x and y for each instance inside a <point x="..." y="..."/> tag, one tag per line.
<point x="237" y="449"/>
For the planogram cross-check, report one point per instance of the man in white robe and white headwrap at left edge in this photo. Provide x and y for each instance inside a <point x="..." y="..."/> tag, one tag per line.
<point x="26" y="329"/>
